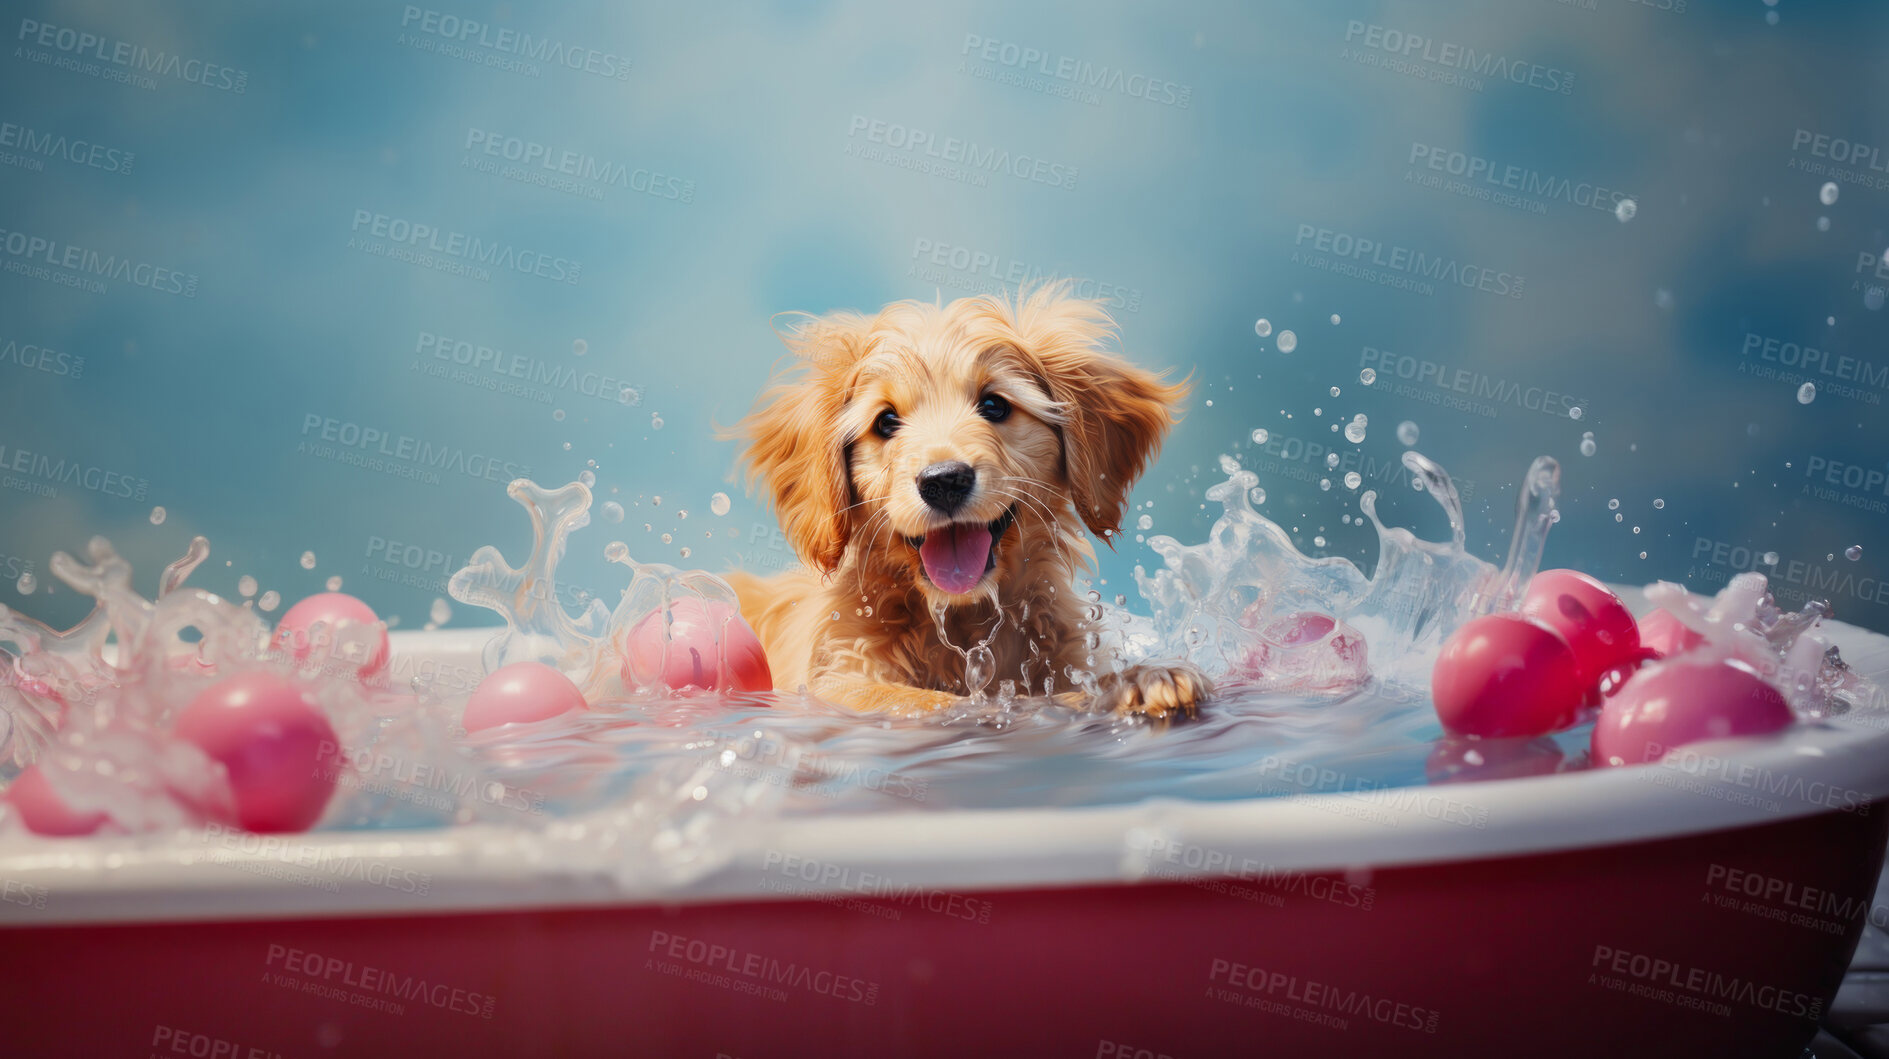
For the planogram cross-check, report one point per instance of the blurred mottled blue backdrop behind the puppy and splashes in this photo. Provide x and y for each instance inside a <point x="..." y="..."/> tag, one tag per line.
<point x="322" y="278"/>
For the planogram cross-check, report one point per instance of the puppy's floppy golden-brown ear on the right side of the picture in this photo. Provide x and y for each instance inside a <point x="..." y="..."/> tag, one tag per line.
<point x="1115" y="414"/>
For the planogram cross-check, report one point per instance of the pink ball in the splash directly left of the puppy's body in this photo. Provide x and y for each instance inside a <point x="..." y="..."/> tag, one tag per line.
<point x="692" y="660"/>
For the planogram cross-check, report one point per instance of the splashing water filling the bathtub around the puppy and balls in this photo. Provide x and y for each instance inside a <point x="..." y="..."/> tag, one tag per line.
<point x="1321" y="671"/>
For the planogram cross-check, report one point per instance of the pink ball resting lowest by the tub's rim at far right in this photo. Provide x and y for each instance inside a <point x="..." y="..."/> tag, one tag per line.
<point x="1678" y="703"/>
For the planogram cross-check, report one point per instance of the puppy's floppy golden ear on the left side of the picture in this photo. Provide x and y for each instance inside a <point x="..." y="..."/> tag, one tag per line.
<point x="794" y="441"/>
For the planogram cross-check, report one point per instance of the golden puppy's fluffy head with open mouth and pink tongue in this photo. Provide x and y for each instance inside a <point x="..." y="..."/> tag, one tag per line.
<point x="945" y="433"/>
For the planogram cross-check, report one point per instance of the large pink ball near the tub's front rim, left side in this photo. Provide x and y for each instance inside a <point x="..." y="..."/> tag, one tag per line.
<point x="277" y="745"/>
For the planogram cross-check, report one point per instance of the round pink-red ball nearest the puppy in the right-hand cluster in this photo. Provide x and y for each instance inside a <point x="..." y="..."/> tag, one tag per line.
<point x="1506" y="675"/>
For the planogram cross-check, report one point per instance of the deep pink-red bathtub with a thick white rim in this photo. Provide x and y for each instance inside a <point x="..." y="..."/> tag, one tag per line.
<point x="1701" y="907"/>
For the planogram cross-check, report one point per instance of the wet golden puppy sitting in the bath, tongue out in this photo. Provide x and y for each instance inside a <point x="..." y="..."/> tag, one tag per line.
<point x="934" y="467"/>
